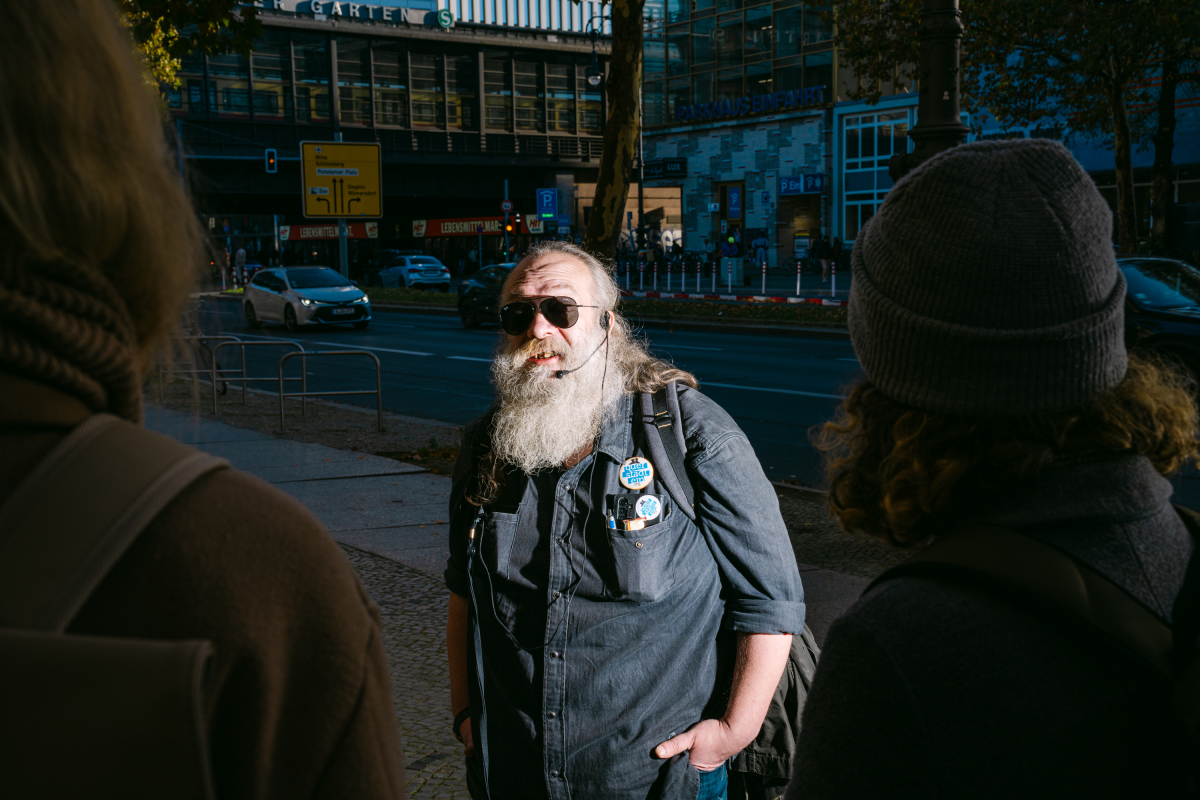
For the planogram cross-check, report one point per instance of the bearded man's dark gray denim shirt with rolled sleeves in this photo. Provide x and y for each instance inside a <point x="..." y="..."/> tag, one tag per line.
<point x="599" y="645"/>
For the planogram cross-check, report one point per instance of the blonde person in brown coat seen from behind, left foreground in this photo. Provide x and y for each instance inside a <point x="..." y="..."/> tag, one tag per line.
<point x="101" y="250"/>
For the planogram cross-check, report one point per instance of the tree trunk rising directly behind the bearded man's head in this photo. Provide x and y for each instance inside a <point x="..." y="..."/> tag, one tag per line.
<point x="621" y="131"/>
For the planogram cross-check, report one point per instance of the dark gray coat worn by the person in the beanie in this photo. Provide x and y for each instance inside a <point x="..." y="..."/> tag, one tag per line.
<point x="939" y="690"/>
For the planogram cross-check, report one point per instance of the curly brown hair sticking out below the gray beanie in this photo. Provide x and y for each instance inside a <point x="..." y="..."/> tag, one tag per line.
<point x="897" y="472"/>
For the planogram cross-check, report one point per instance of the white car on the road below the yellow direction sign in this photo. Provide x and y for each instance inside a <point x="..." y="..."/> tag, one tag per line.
<point x="304" y="296"/>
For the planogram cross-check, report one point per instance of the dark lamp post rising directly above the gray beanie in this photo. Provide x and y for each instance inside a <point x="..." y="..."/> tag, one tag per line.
<point x="939" y="123"/>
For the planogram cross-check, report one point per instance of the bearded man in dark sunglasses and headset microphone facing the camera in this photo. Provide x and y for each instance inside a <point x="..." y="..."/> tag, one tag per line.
<point x="590" y="612"/>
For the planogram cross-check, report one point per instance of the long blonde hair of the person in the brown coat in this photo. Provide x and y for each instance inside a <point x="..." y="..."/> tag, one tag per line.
<point x="86" y="175"/>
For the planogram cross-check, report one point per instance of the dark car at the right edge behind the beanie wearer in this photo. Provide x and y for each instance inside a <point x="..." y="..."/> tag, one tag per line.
<point x="1163" y="308"/>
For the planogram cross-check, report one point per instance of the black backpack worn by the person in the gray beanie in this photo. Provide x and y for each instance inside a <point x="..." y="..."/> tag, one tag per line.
<point x="1022" y="567"/>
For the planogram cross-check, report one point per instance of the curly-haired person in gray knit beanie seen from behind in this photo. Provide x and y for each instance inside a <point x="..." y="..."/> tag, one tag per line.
<point x="987" y="311"/>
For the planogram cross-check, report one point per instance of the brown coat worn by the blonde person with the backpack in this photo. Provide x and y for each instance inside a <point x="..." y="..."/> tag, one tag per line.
<point x="299" y="703"/>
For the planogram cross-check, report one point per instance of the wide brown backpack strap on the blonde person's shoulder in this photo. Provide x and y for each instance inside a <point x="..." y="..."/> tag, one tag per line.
<point x="77" y="513"/>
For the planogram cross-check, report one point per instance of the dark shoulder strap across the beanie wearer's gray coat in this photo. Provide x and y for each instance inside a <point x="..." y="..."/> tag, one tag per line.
<point x="1021" y="566"/>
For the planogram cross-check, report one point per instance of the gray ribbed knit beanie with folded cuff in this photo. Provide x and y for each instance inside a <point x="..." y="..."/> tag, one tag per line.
<point x="986" y="285"/>
